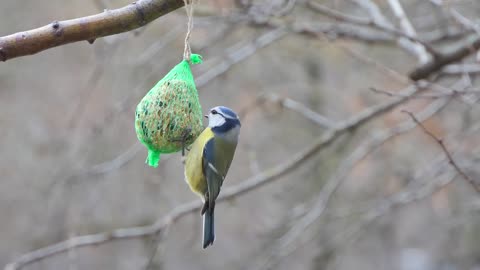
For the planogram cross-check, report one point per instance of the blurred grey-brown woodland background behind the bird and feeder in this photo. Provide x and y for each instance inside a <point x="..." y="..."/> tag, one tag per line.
<point x="382" y="194"/>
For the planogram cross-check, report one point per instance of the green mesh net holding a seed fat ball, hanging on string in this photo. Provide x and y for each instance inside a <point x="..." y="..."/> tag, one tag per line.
<point x="169" y="116"/>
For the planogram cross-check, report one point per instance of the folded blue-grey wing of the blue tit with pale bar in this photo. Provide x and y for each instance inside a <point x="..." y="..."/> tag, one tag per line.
<point x="214" y="172"/>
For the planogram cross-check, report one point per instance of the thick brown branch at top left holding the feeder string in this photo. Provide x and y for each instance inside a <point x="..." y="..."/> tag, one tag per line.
<point x="109" y="22"/>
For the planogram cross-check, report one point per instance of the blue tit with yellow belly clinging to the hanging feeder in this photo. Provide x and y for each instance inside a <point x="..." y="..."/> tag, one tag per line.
<point x="208" y="162"/>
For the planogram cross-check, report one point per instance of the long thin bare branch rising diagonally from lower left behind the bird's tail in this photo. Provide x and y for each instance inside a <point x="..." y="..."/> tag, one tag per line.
<point x="250" y="184"/>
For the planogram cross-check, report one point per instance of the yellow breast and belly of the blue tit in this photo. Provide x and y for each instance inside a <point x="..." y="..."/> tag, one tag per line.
<point x="194" y="164"/>
